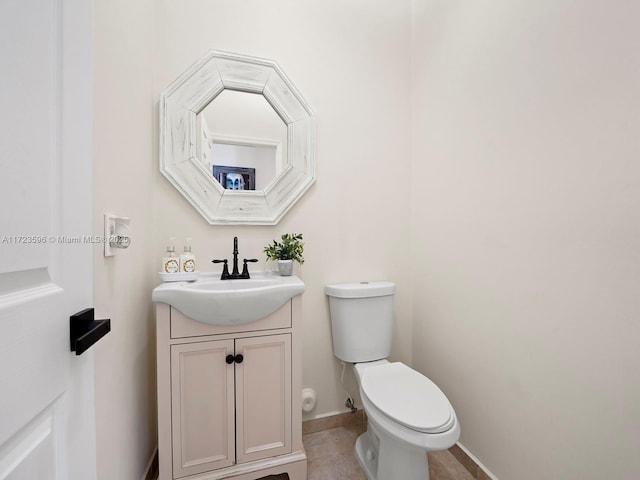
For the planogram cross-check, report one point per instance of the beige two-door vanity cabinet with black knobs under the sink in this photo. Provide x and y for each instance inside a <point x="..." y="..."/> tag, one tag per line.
<point x="229" y="398"/>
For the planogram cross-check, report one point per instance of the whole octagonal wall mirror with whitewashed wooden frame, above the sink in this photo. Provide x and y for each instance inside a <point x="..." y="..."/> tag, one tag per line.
<point x="237" y="139"/>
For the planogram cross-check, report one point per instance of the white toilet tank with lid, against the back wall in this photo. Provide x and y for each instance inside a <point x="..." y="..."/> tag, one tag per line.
<point x="361" y="320"/>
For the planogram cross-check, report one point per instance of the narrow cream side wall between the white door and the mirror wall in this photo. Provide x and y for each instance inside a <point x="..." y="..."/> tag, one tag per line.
<point x="124" y="163"/>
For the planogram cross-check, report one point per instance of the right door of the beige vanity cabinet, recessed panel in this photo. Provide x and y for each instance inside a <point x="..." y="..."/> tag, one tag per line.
<point x="263" y="397"/>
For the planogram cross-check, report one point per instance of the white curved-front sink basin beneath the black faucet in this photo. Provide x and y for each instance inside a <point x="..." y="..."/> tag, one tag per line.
<point x="229" y="302"/>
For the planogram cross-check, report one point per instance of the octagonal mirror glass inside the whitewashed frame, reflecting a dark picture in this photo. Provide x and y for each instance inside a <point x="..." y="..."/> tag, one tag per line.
<point x="243" y="140"/>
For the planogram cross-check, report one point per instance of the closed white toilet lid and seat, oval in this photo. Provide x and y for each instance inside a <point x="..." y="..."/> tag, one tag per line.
<point x="407" y="397"/>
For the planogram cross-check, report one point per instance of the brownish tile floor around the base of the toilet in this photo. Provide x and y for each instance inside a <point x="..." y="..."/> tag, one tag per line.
<point x="330" y="456"/>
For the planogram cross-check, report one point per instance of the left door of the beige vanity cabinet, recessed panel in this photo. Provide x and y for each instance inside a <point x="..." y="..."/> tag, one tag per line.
<point x="202" y="399"/>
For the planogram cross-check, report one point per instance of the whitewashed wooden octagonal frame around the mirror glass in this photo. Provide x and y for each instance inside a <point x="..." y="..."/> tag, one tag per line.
<point x="191" y="92"/>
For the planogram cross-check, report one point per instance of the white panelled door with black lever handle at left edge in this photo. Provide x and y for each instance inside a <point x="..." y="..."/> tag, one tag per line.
<point x="47" y="425"/>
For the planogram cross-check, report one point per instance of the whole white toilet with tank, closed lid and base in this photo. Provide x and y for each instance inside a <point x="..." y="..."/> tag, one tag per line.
<point x="407" y="414"/>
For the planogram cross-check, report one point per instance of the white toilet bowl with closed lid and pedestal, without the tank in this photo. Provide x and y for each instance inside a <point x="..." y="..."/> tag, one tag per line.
<point x="407" y="416"/>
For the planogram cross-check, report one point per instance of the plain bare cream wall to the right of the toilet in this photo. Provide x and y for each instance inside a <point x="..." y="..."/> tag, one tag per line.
<point x="526" y="227"/>
